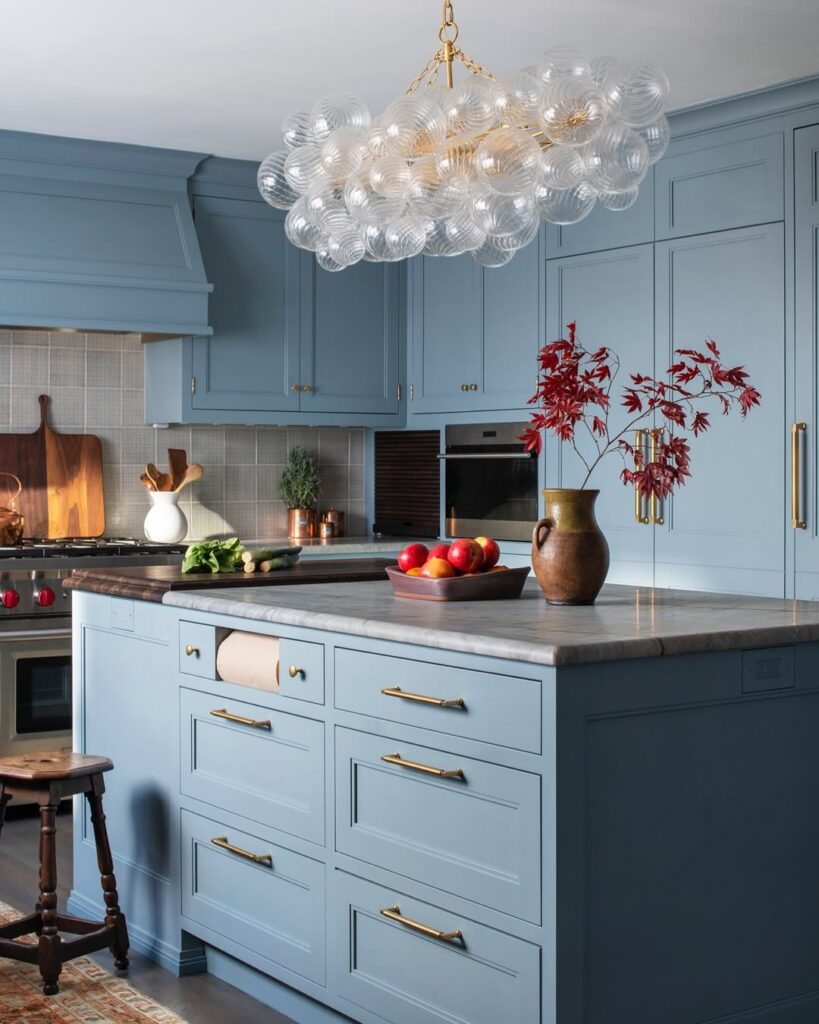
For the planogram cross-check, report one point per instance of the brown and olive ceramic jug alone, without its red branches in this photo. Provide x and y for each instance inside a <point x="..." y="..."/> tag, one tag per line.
<point x="570" y="553"/>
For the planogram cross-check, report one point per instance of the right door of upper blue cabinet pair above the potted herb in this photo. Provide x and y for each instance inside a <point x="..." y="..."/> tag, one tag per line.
<point x="351" y="338"/>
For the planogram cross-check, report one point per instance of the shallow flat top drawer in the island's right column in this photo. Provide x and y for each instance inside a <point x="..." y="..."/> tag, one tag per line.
<point x="485" y="706"/>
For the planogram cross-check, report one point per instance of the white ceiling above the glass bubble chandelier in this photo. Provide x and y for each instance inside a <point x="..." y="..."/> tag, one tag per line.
<point x="218" y="77"/>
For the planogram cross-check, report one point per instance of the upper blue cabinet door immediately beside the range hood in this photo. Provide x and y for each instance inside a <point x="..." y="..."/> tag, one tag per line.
<point x="252" y="361"/>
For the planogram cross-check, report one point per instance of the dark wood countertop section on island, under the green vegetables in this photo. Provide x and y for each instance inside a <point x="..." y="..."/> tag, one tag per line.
<point x="151" y="583"/>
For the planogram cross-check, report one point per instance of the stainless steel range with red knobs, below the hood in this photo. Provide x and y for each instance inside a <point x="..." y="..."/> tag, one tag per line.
<point x="35" y="632"/>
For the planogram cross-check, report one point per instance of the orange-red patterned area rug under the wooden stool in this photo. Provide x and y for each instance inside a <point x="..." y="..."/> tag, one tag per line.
<point x="89" y="995"/>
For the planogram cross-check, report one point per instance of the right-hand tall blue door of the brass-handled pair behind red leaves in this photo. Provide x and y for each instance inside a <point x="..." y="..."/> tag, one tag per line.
<point x="725" y="530"/>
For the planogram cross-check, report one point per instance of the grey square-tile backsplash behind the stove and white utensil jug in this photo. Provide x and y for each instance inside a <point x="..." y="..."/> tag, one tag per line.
<point x="97" y="386"/>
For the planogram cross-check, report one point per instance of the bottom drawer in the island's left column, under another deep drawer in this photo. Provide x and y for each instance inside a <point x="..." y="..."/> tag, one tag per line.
<point x="258" y="895"/>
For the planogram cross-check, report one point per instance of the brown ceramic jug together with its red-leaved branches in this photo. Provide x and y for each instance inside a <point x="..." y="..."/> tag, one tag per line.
<point x="575" y="390"/>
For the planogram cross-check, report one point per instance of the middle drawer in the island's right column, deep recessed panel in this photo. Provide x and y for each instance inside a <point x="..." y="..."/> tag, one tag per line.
<point x="475" y="832"/>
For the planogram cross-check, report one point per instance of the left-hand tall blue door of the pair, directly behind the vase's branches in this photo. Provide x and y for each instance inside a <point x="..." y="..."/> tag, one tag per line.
<point x="612" y="297"/>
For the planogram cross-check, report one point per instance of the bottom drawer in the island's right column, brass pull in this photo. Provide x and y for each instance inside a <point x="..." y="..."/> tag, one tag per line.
<point x="392" y="968"/>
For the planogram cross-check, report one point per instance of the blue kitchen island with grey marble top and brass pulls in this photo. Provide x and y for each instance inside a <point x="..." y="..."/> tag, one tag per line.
<point x="480" y="813"/>
